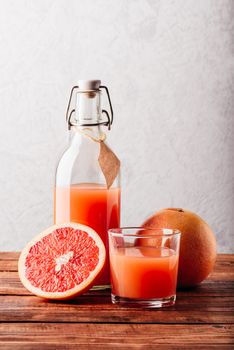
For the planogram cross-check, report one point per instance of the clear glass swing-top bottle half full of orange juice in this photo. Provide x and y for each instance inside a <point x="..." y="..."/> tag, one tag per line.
<point x="81" y="194"/>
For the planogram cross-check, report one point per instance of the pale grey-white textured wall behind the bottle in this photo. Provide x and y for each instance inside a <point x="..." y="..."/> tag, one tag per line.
<point x="170" y="69"/>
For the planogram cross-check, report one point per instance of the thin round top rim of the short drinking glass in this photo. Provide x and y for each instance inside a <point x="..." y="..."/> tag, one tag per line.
<point x="117" y="232"/>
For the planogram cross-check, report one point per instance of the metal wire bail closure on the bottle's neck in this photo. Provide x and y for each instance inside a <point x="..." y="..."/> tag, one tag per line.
<point x="70" y="111"/>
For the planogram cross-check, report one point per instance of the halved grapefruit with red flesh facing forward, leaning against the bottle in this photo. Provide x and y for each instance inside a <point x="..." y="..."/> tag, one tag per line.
<point x="61" y="262"/>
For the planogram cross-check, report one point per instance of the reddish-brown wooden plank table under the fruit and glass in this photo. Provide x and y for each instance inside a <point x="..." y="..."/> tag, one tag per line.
<point x="203" y="318"/>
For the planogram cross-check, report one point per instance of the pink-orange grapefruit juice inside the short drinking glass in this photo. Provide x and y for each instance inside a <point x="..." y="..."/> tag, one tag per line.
<point x="144" y="272"/>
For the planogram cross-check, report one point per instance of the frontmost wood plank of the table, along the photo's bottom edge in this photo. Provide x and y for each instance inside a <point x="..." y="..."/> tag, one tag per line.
<point x="109" y="336"/>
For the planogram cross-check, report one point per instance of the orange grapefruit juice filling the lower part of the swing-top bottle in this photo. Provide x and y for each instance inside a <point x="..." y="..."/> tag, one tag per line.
<point x="93" y="205"/>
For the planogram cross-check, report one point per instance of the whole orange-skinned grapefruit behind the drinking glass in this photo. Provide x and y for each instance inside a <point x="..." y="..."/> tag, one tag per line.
<point x="197" y="246"/>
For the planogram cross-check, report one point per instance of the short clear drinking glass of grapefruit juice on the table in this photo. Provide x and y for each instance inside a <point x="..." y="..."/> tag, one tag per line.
<point x="144" y="266"/>
